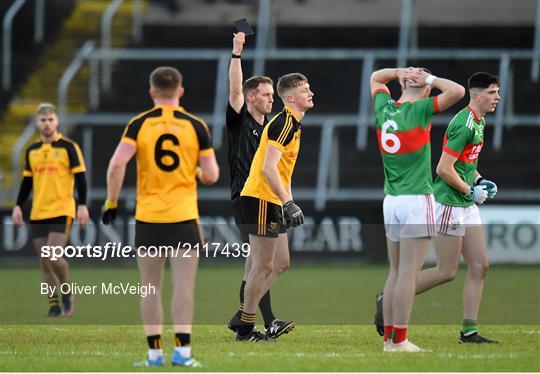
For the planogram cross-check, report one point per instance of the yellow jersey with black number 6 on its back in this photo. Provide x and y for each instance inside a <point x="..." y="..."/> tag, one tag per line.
<point x="169" y="141"/>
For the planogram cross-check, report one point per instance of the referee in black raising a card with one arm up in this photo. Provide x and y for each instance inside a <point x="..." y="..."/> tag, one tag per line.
<point x="246" y="117"/>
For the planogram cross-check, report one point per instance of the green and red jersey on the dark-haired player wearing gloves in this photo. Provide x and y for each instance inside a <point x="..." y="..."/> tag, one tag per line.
<point x="463" y="139"/>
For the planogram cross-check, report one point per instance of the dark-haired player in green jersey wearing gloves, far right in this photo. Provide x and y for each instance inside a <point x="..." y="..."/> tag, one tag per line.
<point x="458" y="189"/>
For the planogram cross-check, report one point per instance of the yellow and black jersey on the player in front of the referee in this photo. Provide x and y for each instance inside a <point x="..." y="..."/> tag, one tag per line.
<point x="283" y="132"/>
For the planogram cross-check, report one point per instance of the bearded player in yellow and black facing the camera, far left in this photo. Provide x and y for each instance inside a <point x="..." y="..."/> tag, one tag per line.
<point x="53" y="166"/>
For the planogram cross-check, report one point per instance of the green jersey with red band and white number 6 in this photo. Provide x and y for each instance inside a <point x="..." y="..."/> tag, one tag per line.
<point x="403" y="132"/>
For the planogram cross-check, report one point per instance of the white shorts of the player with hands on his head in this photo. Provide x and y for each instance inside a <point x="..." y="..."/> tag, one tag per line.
<point x="409" y="216"/>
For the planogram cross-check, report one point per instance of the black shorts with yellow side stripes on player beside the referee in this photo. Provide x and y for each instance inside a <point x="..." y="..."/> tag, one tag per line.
<point x="261" y="217"/>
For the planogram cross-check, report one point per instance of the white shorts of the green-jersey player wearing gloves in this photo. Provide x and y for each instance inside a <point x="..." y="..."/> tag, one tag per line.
<point x="454" y="220"/>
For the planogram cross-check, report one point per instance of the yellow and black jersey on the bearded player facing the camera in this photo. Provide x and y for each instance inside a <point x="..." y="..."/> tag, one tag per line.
<point x="52" y="167"/>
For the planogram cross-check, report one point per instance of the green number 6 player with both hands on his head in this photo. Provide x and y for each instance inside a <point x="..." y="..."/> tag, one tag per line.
<point x="403" y="131"/>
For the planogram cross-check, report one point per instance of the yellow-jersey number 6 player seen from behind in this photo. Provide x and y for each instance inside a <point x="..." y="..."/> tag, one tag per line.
<point x="173" y="148"/>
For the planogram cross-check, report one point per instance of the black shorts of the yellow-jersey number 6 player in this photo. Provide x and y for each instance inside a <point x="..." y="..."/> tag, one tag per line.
<point x="168" y="234"/>
